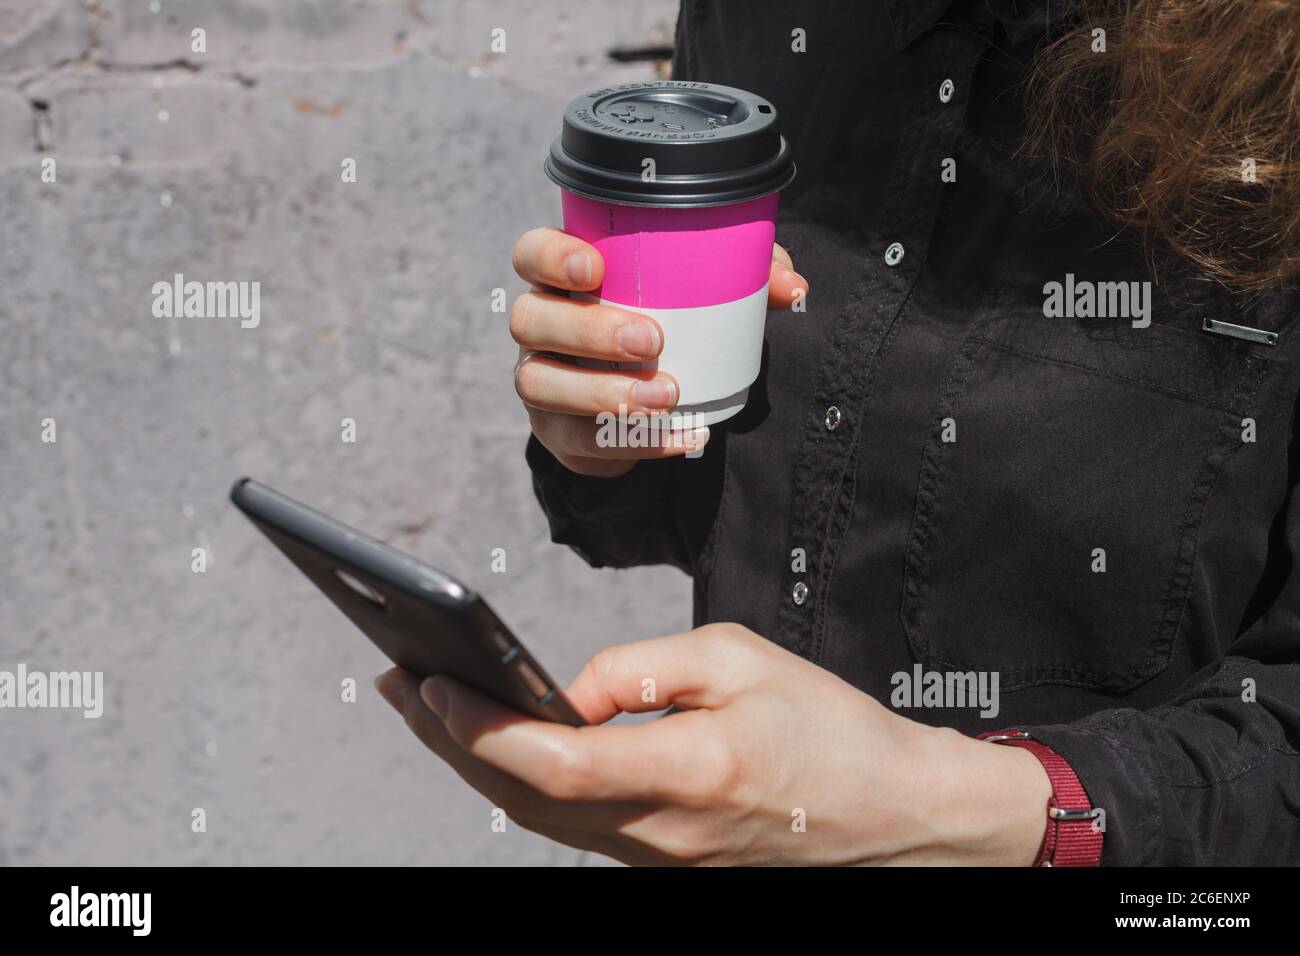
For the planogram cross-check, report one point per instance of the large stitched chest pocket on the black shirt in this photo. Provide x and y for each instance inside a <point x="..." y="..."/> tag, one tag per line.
<point x="1061" y="494"/>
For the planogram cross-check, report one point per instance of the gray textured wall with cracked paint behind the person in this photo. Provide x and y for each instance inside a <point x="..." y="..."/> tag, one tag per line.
<point x="223" y="689"/>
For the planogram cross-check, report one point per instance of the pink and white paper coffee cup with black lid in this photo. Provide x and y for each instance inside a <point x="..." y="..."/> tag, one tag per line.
<point x="677" y="185"/>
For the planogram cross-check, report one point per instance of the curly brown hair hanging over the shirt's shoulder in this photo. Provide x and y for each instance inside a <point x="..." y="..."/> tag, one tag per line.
<point x="1185" y="129"/>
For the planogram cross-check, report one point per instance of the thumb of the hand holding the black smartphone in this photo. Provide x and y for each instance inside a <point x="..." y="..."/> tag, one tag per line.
<point x="699" y="669"/>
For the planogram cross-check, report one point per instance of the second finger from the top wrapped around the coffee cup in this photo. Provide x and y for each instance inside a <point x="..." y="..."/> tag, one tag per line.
<point x="554" y="323"/>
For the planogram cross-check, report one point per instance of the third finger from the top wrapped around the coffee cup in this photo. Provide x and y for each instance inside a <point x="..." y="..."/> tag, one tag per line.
<point x="553" y="384"/>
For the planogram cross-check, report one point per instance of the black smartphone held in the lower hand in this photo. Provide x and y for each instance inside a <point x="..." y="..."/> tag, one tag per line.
<point x="423" y="620"/>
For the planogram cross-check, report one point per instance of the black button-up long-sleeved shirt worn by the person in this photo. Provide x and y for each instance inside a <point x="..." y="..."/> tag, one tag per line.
<point x="1102" y="513"/>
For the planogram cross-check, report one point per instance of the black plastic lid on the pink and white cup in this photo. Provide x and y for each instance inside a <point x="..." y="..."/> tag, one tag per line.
<point x="710" y="145"/>
